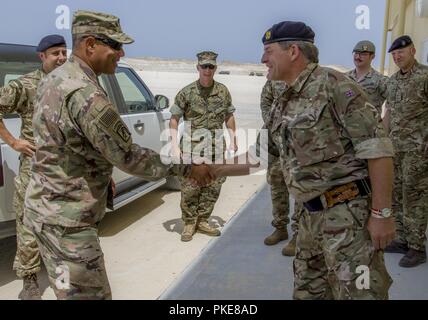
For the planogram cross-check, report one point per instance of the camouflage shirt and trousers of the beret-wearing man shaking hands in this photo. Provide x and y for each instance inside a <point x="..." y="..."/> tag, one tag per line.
<point x="323" y="141"/>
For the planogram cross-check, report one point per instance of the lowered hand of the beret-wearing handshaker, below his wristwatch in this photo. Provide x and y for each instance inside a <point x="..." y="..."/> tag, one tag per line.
<point x="382" y="231"/>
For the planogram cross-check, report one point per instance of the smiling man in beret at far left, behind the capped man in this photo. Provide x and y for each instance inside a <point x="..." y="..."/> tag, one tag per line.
<point x="18" y="96"/>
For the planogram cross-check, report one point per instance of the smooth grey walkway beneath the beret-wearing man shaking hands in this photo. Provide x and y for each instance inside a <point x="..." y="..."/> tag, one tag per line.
<point x="239" y="266"/>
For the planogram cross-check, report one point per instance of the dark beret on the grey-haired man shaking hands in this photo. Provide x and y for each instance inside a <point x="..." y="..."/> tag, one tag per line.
<point x="289" y="31"/>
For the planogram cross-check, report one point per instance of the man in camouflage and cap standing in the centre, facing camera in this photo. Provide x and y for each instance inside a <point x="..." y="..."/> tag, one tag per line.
<point x="204" y="105"/>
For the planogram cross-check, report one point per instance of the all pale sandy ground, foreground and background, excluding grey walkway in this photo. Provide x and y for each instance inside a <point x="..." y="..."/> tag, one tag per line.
<point x="141" y="241"/>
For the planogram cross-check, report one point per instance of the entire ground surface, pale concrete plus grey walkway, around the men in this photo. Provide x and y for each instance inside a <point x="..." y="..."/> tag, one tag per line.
<point x="141" y="241"/>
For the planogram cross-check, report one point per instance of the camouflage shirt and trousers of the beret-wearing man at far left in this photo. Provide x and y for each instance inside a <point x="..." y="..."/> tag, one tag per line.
<point x="19" y="97"/>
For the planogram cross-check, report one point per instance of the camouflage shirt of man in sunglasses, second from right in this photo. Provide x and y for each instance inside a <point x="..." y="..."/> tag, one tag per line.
<point x="374" y="84"/>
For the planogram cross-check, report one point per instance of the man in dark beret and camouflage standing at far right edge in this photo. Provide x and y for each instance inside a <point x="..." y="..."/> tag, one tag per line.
<point x="407" y="115"/>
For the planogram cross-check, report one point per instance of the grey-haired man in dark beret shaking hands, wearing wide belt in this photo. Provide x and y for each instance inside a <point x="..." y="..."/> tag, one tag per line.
<point x="330" y="140"/>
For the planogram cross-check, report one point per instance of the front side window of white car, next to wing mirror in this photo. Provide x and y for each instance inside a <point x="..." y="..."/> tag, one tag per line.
<point x="137" y="98"/>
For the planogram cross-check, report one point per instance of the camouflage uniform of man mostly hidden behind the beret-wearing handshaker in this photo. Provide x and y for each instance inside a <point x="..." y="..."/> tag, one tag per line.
<point x="275" y="176"/>
